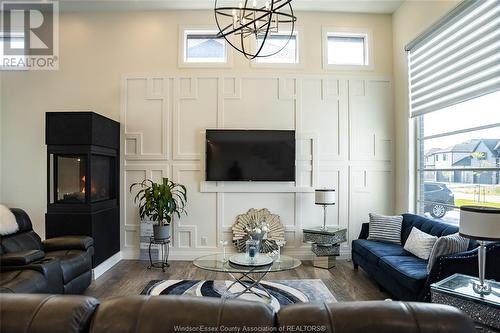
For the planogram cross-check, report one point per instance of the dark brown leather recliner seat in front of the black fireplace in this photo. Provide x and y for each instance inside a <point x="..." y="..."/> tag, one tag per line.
<point x="57" y="265"/>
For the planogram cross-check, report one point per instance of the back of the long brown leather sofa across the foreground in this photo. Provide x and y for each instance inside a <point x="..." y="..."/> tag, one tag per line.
<point x="154" y="314"/>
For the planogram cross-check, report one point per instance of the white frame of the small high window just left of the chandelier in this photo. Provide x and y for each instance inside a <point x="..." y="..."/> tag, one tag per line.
<point x="182" y="63"/>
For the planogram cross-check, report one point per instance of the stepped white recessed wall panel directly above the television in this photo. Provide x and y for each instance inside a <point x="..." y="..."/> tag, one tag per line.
<point x="259" y="106"/>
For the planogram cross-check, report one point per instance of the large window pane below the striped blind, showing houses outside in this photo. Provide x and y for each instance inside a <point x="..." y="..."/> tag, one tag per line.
<point x="459" y="157"/>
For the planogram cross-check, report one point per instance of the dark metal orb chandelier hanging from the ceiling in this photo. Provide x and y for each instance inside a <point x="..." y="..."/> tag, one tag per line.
<point x="247" y="26"/>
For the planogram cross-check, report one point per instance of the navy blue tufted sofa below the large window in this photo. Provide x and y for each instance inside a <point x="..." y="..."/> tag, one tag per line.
<point x="405" y="276"/>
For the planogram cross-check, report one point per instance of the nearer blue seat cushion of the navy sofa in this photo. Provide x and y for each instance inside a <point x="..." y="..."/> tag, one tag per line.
<point x="410" y="271"/>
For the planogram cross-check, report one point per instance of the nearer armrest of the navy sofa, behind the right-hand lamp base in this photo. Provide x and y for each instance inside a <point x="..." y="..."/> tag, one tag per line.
<point x="464" y="263"/>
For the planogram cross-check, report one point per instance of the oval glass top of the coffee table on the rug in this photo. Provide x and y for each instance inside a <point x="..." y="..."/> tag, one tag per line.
<point x="216" y="262"/>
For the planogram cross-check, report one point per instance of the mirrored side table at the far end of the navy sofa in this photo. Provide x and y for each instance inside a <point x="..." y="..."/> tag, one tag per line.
<point x="325" y="244"/>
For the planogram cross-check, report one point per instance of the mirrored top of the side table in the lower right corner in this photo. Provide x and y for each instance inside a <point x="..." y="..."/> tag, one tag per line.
<point x="461" y="286"/>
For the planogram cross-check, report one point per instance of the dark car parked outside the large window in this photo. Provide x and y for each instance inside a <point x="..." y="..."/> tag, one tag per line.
<point x="438" y="199"/>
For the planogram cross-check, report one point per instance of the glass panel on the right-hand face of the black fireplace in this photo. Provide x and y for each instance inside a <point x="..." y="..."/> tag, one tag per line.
<point x="102" y="172"/>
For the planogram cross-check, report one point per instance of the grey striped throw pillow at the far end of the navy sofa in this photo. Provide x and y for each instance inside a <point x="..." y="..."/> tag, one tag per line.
<point x="385" y="228"/>
